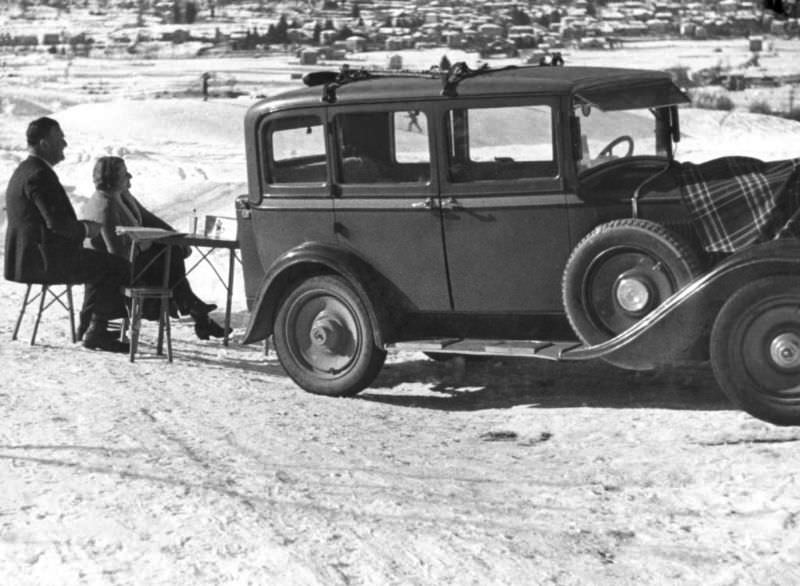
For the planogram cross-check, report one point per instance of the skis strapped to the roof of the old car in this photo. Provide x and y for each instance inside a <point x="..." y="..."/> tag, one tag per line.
<point x="332" y="80"/>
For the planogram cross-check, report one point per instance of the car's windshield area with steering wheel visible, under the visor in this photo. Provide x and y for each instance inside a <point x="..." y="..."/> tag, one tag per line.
<point x="607" y="136"/>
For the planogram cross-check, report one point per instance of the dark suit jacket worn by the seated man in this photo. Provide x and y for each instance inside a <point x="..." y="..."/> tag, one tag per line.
<point x="43" y="234"/>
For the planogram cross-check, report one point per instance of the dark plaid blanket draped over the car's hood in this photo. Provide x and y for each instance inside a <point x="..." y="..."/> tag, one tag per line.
<point x="739" y="201"/>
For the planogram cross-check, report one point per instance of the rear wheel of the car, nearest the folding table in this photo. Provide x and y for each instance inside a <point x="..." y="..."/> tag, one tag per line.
<point x="324" y="338"/>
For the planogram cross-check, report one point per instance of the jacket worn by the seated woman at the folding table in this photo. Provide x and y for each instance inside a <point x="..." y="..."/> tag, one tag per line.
<point x="108" y="211"/>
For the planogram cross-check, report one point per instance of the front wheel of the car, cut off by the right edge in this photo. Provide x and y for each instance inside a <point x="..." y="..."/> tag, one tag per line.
<point x="755" y="349"/>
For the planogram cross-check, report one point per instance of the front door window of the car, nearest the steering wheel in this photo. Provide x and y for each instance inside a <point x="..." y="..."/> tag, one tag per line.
<point x="503" y="143"/>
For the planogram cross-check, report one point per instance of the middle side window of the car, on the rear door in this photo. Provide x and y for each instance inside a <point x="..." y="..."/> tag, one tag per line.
<point x="383" y="147"/>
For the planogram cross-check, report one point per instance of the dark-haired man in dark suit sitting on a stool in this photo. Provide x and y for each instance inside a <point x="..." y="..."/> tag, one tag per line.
<point x="44" y="238"/>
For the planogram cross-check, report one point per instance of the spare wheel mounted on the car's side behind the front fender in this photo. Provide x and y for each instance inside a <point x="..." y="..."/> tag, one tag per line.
<point x="629" y="255"/>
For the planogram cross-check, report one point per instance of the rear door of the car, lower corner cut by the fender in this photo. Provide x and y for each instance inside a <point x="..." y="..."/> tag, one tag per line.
<point x="386" y="206"/>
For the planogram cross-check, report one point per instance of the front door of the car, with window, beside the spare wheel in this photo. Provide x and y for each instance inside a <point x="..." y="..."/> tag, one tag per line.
<point x="504" y="215"/>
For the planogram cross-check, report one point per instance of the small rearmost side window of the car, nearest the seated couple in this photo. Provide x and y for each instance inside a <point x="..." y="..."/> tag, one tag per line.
<point x="295" y="150"/>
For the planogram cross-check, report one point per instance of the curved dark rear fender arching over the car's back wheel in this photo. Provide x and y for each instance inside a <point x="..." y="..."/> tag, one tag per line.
<point x="313" y="258"/>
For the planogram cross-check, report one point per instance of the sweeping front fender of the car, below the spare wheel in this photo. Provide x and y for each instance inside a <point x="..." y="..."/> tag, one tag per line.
<point x="673" y="329"/>
